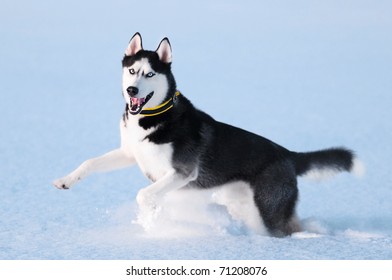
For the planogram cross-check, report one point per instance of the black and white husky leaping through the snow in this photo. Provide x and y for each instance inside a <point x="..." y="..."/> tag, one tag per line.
<point x="177" y="146"/>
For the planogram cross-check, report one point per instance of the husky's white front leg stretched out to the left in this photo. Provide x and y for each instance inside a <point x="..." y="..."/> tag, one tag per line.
<point x="113" y="160"/>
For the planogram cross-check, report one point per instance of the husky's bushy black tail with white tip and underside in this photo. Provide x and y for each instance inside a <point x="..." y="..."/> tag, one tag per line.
<point x="326" y="163"/>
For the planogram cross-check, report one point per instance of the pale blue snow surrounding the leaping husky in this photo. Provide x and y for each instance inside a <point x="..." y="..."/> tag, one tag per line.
<point x="305" y="74"/>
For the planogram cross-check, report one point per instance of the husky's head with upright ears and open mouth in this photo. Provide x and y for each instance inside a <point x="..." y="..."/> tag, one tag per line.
<point x="147" y="80"/>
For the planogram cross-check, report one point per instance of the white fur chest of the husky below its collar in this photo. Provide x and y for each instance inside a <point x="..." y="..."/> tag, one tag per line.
<point x="154" y="160"/>
